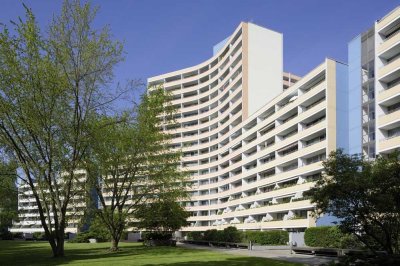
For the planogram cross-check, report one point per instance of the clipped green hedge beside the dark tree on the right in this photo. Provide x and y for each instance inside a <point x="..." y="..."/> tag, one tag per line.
<point x="323" y="236"/>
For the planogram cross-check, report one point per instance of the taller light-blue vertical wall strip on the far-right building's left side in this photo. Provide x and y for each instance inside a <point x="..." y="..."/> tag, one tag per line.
<point x="354" y="96"/>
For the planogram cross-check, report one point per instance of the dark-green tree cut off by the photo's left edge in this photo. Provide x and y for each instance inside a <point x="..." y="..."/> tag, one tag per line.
<point x="8" y="195"/>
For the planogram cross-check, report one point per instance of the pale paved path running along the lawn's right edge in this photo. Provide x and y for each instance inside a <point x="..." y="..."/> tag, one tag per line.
<point x="272" y="254"/>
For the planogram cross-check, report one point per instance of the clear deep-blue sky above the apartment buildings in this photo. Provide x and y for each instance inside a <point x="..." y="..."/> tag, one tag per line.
<point x="167" y="35"/>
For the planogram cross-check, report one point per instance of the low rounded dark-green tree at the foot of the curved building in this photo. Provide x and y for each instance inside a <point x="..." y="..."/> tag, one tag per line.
<point x="162" y="216"/>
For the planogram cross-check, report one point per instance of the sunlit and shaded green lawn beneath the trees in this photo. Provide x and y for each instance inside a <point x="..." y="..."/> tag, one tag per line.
<point x="39" y="253"/>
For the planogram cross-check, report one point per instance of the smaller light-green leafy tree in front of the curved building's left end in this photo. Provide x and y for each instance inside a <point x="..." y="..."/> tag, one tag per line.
<point x="131" y="163"/>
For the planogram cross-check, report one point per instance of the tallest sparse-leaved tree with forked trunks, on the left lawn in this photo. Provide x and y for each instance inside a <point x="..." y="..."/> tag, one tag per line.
<point x="51" y="89"/>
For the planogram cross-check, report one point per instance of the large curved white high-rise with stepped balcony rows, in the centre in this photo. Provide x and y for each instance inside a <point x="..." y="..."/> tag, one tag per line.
<point x="252" y="136"/>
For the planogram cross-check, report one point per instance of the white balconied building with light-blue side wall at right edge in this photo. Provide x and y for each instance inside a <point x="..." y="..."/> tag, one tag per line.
<point x="374" y="87"/>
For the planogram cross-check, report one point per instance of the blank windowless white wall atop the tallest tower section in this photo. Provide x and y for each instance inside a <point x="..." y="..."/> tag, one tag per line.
<point x="265" y="55"/>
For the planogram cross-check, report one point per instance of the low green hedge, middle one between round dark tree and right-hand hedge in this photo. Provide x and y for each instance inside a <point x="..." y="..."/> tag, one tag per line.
<point x="274" y="237"/>
